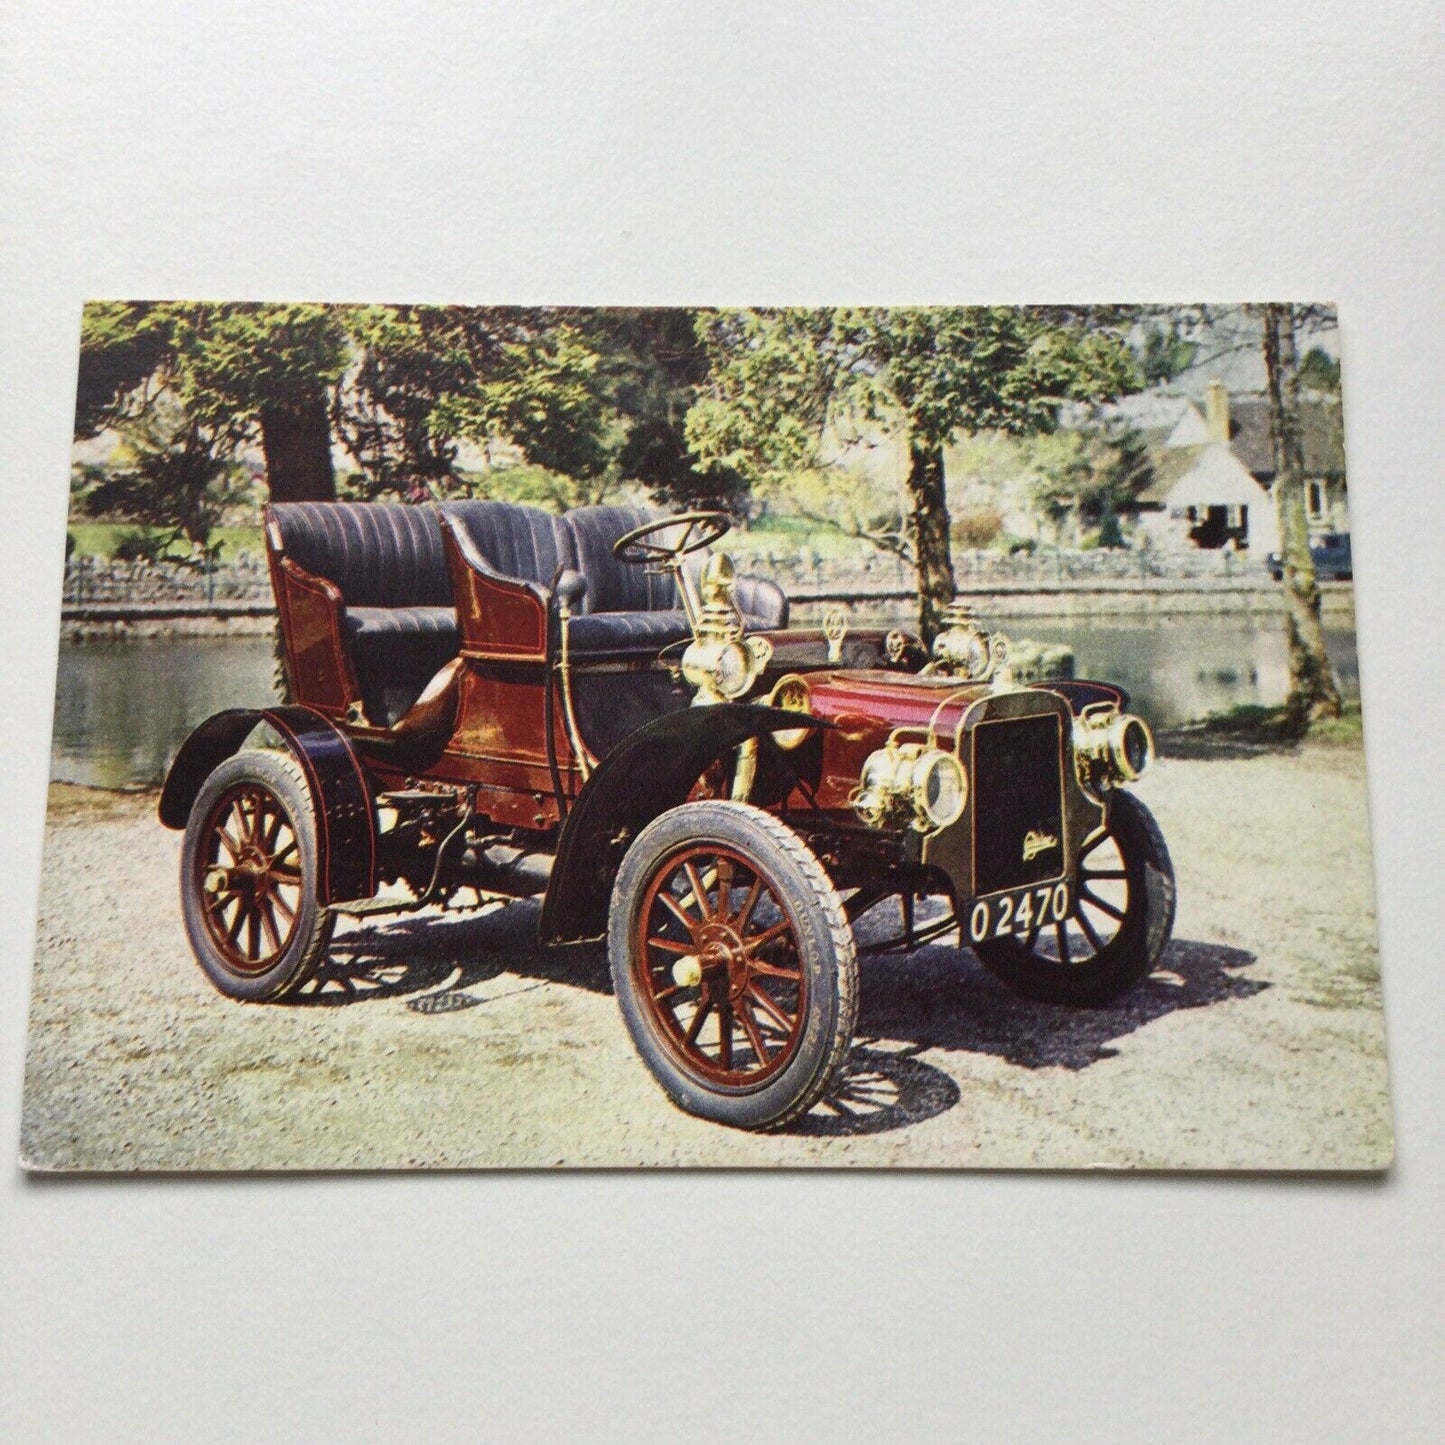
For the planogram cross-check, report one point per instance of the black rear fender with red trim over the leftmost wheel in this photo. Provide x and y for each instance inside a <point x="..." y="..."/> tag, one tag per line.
<point x="346" y="819"/>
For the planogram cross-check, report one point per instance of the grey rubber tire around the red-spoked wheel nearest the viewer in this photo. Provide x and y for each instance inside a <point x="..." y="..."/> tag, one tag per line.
<point x="826" y="944"/>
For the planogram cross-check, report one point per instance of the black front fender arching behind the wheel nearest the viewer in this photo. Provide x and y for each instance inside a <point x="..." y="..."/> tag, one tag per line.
<point x="650" y="772"/>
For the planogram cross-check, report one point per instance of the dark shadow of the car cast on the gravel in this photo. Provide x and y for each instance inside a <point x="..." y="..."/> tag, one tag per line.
<point x="937" y="998"/>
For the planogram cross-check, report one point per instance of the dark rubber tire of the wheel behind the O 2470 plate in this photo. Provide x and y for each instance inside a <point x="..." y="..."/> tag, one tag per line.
<point x="1134" y="952"/>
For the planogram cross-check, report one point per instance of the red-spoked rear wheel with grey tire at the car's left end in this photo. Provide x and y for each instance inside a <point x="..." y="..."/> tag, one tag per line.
<point x="249" y="879"/>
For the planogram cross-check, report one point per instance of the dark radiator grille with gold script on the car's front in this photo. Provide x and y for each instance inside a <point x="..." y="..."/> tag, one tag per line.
<point x="1018" y="803"/>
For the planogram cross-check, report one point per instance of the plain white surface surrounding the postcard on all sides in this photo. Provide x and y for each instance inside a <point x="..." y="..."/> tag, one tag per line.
<point x="629" y="152"/>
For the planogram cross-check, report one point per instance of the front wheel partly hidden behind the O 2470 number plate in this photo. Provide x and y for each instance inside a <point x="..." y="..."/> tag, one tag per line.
<point x="1119" y="924"/>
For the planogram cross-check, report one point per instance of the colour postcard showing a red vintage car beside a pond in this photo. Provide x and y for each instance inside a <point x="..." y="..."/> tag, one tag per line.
<point x="849" y="736"/>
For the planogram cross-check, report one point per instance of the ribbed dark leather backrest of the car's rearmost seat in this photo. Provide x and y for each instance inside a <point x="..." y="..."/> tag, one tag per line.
<point x="379" y="554"/>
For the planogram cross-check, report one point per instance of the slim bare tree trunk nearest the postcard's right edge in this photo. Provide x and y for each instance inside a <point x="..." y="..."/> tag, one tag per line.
<point x="1313" y="690"/>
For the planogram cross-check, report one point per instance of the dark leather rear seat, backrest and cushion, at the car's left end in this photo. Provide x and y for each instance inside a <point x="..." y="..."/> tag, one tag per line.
<point x="398" y="621"/>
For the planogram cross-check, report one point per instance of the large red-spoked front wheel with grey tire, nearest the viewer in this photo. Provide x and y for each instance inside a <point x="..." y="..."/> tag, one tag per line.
<point x="733" y="965"/>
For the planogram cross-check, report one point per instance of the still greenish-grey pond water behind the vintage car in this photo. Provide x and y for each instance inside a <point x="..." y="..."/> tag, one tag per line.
<point x="124" y="709"/>
